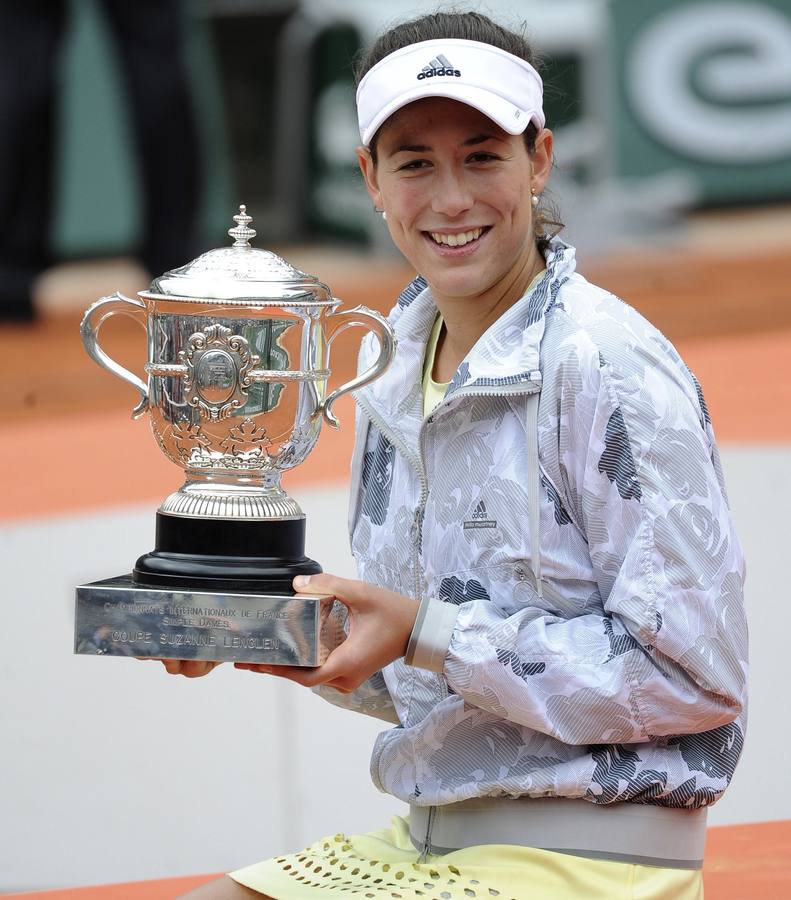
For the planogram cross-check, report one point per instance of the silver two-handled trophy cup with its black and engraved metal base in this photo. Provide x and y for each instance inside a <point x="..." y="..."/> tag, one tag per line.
<point x="238" y="362"/>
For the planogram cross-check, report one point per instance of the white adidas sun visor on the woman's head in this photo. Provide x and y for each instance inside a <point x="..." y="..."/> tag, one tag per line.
<point x="502" y="86"/>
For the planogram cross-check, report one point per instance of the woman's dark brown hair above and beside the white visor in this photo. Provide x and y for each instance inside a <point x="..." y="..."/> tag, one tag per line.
<point x="470" y="26"/>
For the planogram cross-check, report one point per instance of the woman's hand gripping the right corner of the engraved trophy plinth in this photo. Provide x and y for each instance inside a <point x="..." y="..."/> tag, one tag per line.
<point x="380" y="623"/>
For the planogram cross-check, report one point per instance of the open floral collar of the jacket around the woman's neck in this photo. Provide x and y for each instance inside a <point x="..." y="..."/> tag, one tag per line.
<point x="505" y="355"/>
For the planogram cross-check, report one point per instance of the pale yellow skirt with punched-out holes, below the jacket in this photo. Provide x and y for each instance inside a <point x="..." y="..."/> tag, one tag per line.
<point x="384" y="864"/>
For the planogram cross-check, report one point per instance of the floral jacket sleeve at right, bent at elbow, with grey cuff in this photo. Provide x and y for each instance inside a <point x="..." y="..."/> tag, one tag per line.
<point x="664" y="652"/>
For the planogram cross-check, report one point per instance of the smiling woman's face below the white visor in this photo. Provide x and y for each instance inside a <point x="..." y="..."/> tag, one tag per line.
<point x="457" y="192"/>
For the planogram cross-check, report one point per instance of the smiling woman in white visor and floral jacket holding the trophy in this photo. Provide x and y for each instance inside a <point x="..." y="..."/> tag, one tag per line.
<point x="550" y="606"/>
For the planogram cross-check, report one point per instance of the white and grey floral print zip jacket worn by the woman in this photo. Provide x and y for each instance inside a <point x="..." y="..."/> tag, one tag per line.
<point x="626" y="679"/>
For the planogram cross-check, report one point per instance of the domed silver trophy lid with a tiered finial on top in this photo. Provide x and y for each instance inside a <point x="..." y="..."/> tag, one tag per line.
<point x="240" y="273"/>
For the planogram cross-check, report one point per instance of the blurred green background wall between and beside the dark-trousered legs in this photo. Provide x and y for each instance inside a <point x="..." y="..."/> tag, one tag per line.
<point x="98" y="208"/>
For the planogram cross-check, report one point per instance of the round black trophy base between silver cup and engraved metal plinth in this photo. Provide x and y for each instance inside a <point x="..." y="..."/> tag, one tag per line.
<point x="226" y="555"/>
